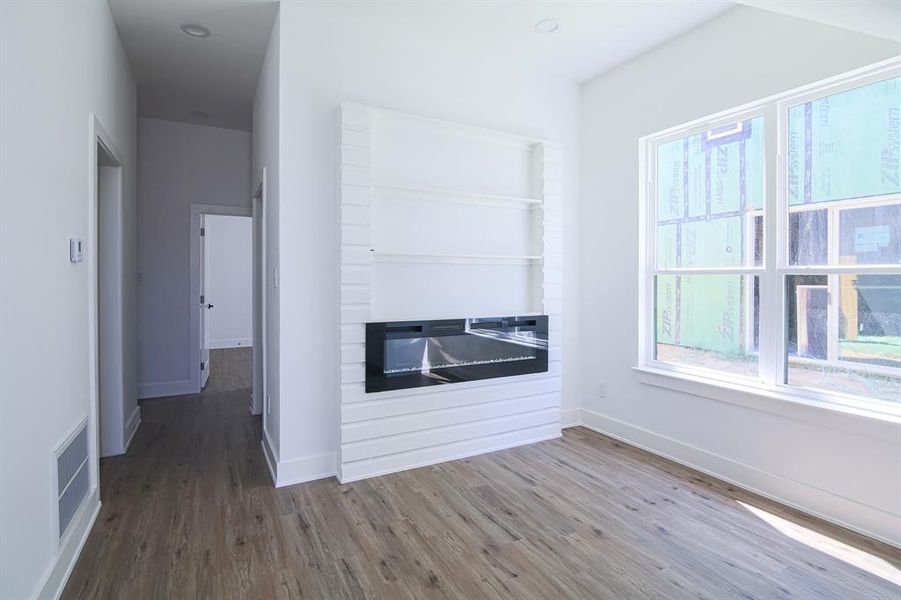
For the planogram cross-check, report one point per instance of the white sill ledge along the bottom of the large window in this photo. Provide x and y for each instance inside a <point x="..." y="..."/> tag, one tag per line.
<point x="821" y="408"/>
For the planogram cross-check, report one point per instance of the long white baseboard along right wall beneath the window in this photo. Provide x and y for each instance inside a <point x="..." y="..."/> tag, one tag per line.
<point x="839" y="510"/>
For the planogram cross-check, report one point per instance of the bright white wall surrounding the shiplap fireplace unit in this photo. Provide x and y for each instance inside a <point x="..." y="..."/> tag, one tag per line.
<point x="330" y="55"/>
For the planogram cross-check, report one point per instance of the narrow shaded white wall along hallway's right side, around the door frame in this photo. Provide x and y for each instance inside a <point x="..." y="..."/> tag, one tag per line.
<point x="266" y="155"/>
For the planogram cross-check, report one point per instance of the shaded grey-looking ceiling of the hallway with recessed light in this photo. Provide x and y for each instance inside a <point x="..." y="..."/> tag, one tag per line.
<point x="178" y="73"/>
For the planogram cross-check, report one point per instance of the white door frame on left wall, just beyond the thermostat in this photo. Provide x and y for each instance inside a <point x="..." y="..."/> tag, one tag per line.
<point x="113" y="336"/>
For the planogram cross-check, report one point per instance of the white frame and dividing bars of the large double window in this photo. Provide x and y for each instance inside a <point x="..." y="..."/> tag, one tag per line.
<point x="775" y="262"/>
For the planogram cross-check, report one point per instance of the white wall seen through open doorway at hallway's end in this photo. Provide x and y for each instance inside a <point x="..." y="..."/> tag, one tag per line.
<point x="230" y="261"/>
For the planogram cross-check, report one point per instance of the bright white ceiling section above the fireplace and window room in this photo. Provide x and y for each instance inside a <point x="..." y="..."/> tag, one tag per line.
<point x="594" y="35"/>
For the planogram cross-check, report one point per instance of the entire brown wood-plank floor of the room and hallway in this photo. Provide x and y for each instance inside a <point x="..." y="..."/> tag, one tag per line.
<point x="190" y="512"/>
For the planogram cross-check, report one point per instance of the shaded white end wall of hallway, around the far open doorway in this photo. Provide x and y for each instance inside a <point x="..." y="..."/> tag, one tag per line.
<point x="179" y="165"/>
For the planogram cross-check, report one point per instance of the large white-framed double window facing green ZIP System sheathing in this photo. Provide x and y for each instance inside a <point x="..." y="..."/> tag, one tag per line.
<point x="773" y="243"/>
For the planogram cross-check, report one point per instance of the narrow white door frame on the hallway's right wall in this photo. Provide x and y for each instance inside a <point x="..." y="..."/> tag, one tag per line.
<point x="259" y="296"/>
